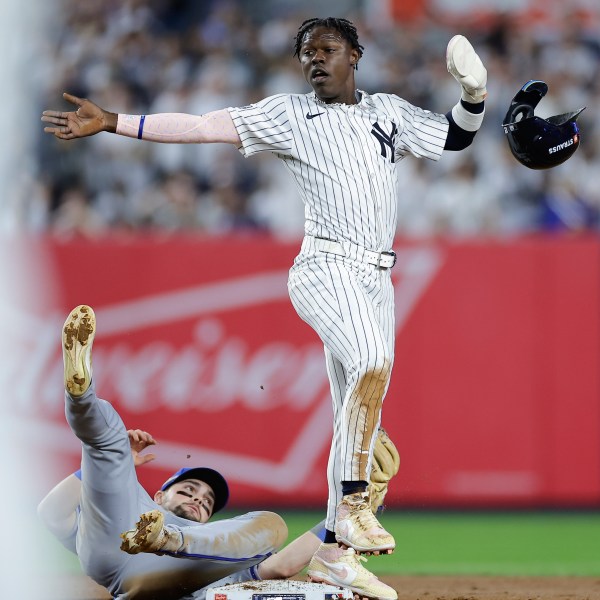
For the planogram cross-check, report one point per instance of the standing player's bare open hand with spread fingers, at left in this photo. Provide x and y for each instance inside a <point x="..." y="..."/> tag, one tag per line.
<point x="88" y="119"/>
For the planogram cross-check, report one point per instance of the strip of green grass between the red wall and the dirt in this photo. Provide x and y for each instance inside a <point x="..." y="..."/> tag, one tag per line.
<point x="462" y="543"/>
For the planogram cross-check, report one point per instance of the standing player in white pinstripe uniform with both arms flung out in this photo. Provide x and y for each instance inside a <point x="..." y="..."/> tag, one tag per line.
<point x="342" y="146"/>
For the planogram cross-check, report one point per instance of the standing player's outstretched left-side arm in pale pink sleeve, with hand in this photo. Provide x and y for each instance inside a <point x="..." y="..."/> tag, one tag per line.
<point x="173" y="128"/>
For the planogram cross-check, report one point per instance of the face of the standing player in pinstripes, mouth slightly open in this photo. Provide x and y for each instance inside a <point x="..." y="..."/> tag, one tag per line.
<point x="328" y="61"/>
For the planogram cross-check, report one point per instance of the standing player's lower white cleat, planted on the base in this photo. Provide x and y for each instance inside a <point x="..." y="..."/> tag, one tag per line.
<point x="342" y="566"/>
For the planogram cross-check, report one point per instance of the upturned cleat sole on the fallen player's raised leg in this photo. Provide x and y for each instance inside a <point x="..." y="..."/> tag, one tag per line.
<point x="77" y="338"/>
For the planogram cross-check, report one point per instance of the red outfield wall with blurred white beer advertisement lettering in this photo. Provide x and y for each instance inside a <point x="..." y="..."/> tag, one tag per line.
<point x="495" y="397"/>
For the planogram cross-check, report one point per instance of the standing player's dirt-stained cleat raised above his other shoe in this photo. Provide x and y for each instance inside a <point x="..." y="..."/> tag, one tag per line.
<point x="357" y="527"/>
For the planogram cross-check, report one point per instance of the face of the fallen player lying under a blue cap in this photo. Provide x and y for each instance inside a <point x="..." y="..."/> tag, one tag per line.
<point x="191" y="499"/>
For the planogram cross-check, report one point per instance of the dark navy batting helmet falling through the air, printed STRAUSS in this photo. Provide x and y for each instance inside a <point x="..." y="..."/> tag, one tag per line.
<point x="535" y="142"/>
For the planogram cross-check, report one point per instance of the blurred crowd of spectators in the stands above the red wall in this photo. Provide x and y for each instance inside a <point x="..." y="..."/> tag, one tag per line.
<point x="148" y="56"/>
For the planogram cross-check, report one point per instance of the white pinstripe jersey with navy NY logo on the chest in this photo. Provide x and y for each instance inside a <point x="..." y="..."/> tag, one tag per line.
<point x="343" y="157"/>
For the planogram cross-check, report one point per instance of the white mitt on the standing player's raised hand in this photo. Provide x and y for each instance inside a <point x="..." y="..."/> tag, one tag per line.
<point x="466" y="67"/>
